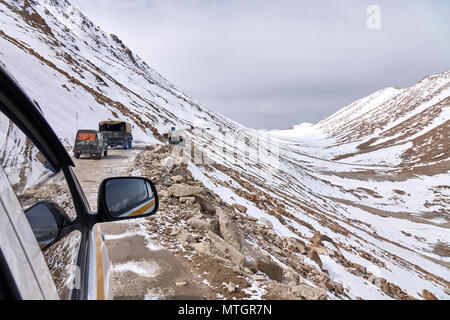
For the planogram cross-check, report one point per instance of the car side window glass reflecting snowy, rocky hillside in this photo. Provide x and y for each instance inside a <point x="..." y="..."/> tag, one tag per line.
<point x="33" y="179"/>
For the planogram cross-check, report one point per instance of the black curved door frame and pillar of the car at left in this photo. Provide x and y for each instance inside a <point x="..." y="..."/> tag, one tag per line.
<point x="28" y="117"/>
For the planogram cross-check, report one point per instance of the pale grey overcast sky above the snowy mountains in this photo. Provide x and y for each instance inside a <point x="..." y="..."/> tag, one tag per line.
<point x="272" y="64"/>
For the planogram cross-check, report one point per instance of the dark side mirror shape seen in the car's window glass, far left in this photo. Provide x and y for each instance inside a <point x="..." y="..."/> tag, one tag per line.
<point x="48" y="222"/>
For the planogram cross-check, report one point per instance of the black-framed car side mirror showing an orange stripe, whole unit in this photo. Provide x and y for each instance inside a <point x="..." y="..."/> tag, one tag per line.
<point x="127" y="198"/>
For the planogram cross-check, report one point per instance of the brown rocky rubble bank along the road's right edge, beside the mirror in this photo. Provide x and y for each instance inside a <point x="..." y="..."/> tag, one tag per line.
<point x="211" y="230"/>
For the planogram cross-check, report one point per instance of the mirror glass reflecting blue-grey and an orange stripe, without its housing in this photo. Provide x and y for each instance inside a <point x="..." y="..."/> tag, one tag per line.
<point x="129" y="197"/>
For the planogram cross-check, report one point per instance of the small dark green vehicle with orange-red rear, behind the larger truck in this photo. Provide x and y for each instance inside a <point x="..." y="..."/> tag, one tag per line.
<point x="91" y="143"/>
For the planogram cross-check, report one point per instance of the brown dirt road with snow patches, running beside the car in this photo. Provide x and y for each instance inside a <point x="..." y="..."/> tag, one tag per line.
<point x="140" y="267"/>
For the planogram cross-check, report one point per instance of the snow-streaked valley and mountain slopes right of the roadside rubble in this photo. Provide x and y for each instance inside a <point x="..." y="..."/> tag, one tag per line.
<point x="384" y="209"/>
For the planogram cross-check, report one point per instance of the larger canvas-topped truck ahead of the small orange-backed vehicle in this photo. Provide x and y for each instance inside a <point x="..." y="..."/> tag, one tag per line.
<point x="117" y="133"/>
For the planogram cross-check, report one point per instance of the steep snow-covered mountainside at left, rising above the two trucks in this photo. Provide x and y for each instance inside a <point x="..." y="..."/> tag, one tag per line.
<point x="89" y="73"/>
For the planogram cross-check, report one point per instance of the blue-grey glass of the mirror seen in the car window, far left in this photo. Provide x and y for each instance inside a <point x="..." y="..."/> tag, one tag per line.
<point x="43" y="224"/>
